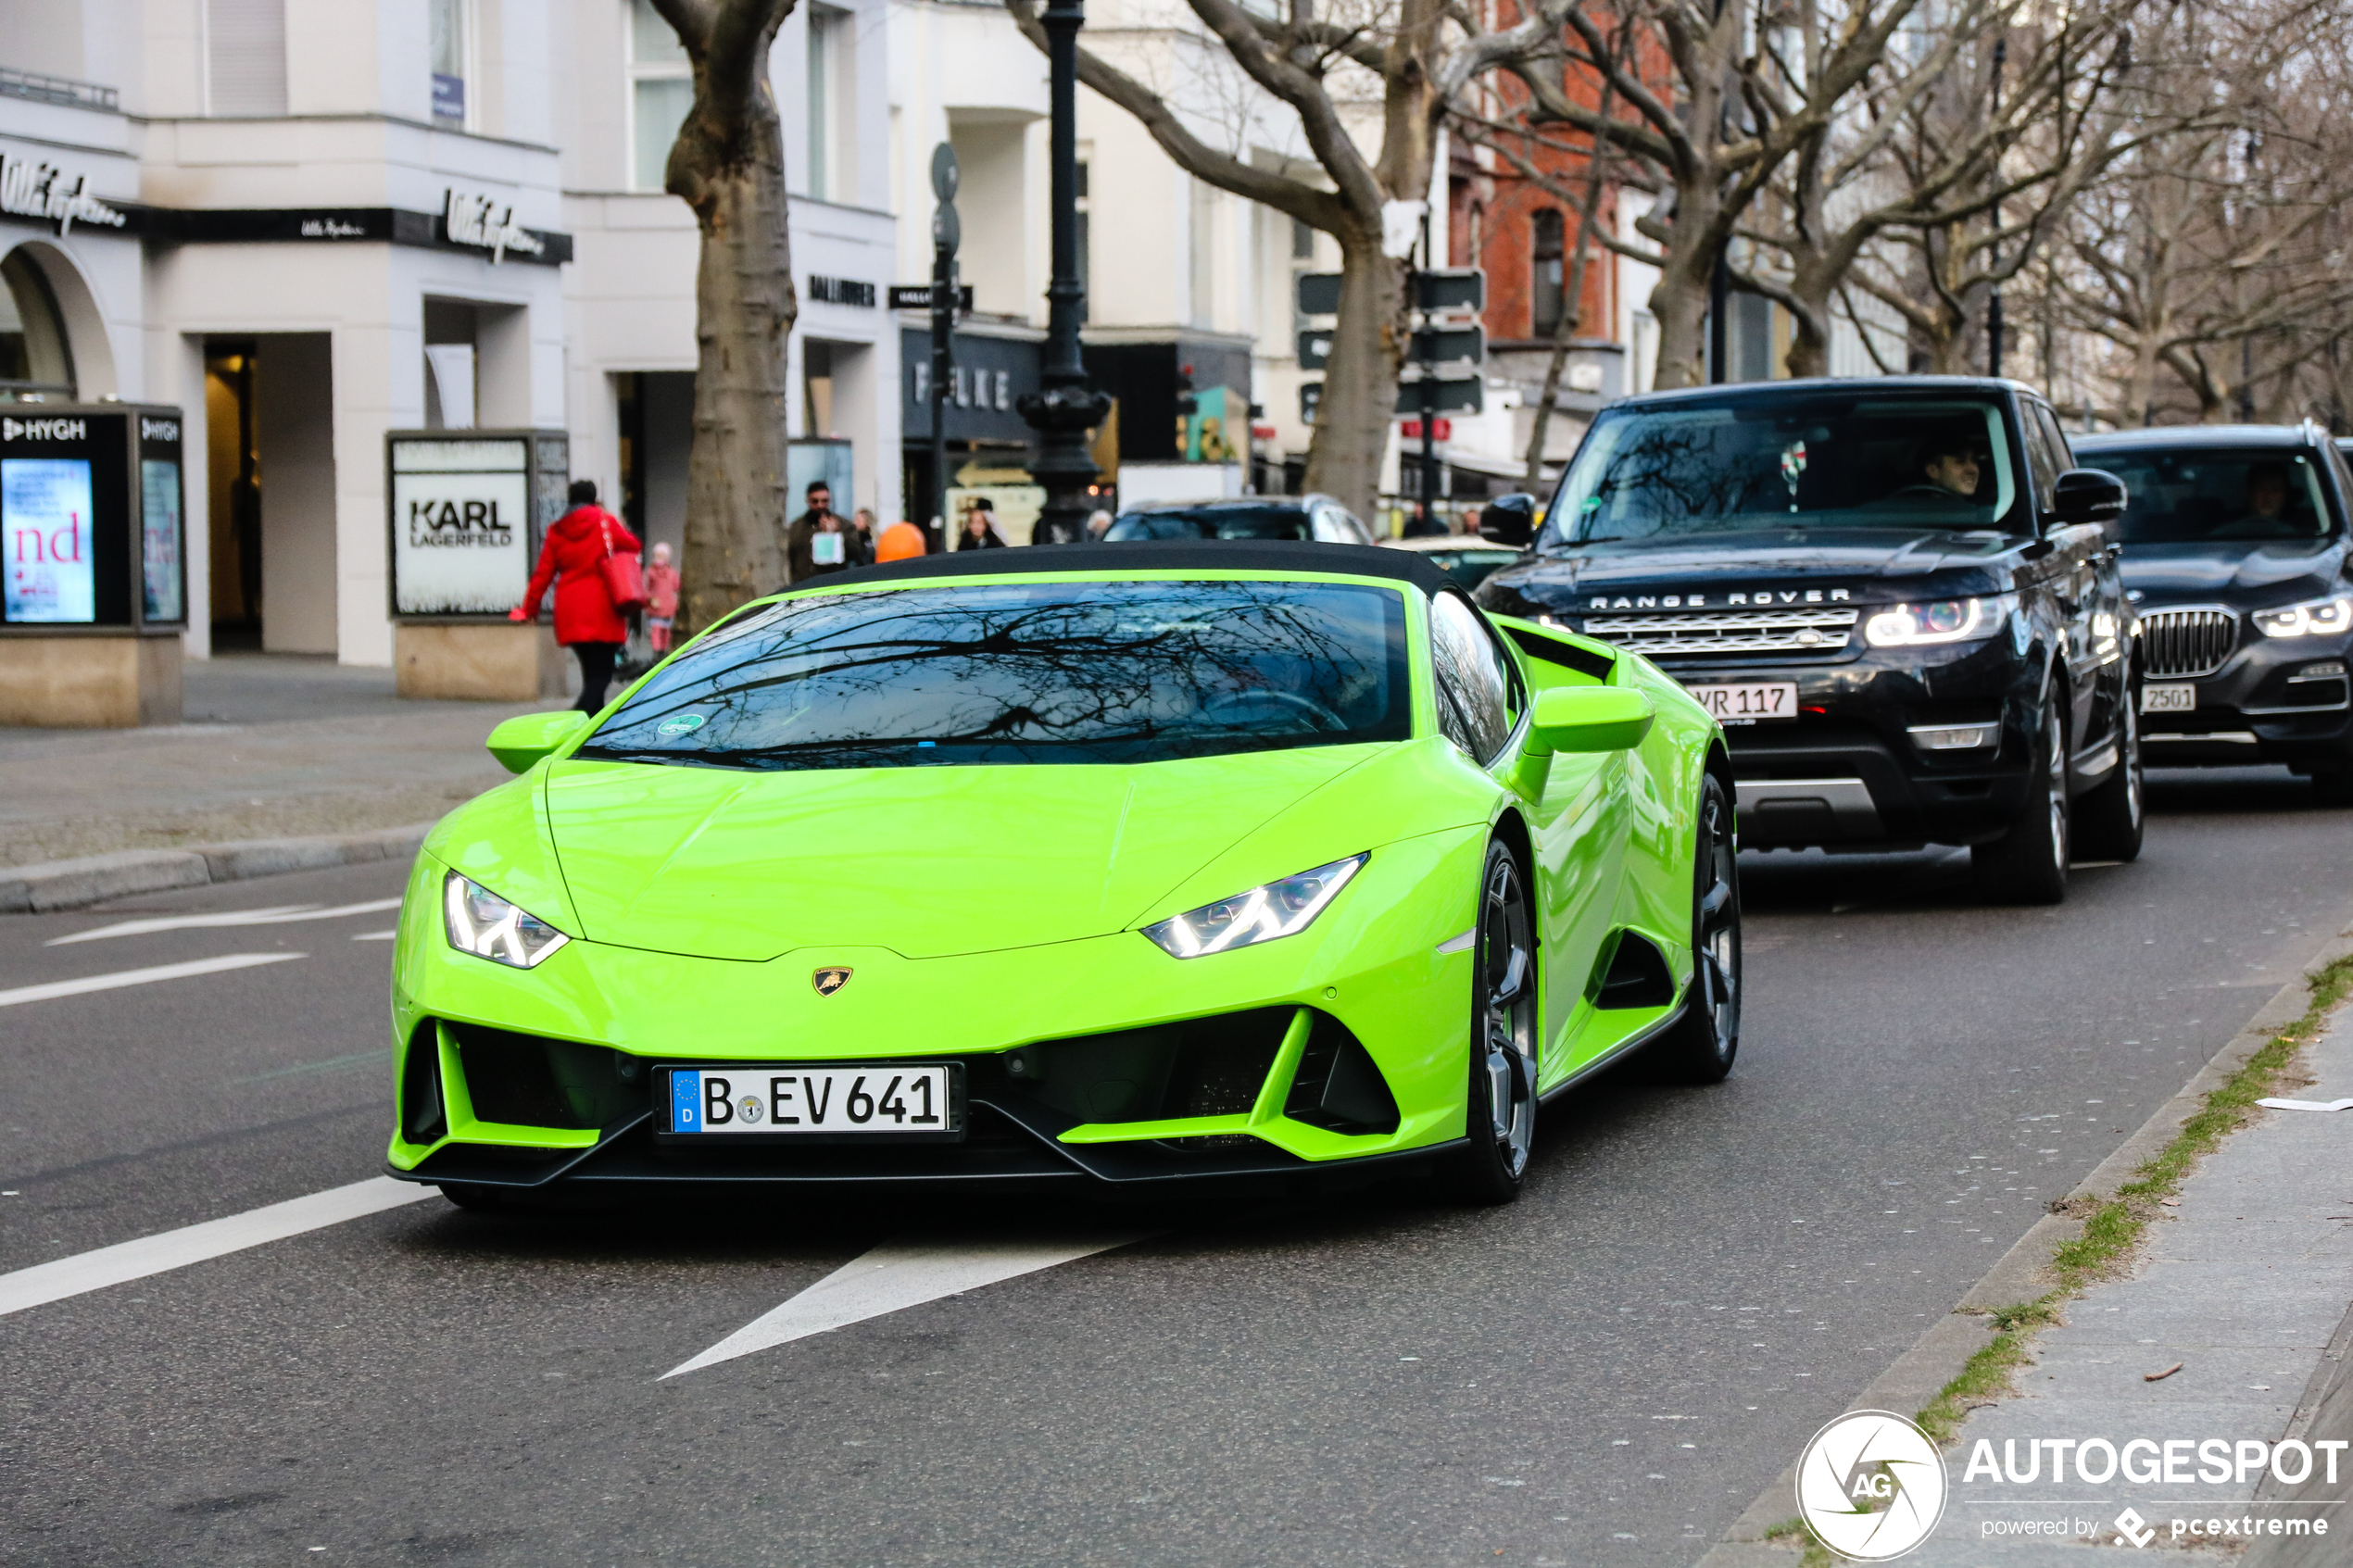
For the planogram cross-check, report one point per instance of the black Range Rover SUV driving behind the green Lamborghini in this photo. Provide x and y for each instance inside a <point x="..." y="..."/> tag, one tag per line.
<point x="1900" y="596"/>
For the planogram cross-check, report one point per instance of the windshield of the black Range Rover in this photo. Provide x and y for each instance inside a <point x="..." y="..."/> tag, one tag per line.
<point x="1820" y="462"/>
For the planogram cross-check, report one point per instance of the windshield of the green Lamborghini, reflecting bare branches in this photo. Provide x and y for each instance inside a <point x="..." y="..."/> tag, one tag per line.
<point x="1138" y="671"/>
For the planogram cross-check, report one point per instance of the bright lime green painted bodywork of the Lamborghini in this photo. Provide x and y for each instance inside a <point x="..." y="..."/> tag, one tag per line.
<point x="985" y="909"/>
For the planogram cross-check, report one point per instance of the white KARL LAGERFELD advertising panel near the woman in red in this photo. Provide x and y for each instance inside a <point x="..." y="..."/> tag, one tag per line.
<point x="462" y="511"/>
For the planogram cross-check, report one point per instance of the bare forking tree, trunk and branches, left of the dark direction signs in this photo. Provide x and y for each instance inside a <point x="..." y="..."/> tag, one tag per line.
<point x="1415" y="60"/>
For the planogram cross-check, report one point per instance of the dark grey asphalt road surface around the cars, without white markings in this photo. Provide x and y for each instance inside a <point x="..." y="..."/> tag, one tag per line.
<point x="1604" y="1374"/>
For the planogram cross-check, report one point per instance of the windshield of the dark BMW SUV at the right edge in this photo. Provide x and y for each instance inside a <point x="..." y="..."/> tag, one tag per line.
<point x="2189" y="495"/>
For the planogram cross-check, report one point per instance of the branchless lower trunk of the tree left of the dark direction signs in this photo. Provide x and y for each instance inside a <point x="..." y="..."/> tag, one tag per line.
<point x="1371" y="342"/>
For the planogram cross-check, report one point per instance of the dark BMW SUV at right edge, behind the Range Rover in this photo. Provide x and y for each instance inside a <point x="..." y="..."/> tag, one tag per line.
<point x="2237" y="565"/>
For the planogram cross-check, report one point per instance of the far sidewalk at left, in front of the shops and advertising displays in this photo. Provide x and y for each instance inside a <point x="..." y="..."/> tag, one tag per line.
<point x="272" y="746"/>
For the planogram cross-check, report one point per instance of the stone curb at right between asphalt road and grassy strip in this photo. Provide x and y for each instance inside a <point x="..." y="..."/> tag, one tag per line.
<point x="2022" y="1273"/>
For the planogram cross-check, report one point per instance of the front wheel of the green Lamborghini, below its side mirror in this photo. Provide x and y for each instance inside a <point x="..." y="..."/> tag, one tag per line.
<point x="1500" y="1108"/>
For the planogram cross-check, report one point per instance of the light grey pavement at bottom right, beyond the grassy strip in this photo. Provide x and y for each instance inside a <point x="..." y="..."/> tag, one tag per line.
<point x="2246" y="1287"/>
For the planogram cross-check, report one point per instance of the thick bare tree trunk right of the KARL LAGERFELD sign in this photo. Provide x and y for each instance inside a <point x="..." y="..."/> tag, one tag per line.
<point x="728" y="166"/>
